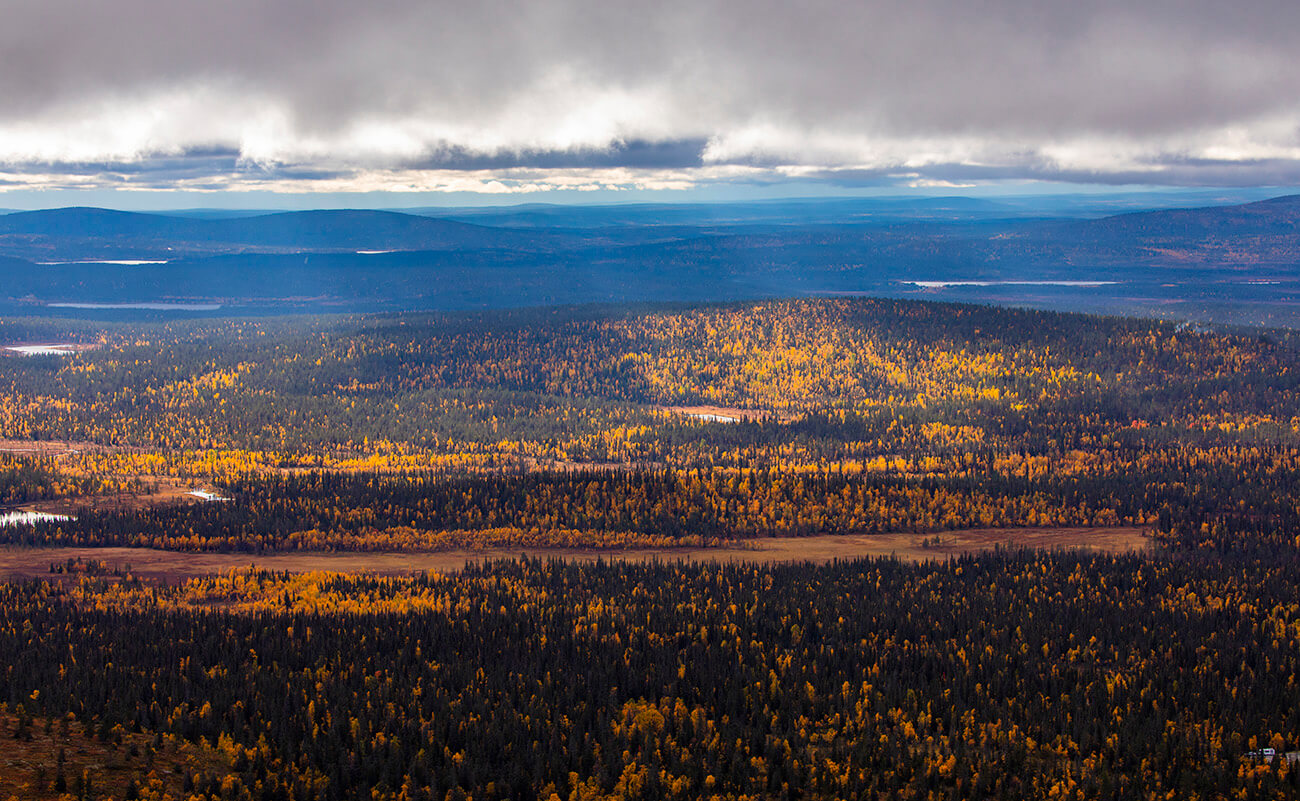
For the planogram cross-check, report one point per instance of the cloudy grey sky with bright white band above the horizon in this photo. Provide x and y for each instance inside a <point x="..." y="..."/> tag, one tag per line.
<point x="190" y="103"/>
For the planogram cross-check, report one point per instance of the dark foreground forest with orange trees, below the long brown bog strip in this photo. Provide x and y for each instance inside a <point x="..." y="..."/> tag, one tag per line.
<point x="1008" y="676"/>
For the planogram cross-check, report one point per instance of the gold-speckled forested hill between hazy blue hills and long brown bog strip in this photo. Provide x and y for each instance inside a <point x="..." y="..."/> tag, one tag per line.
<point x="584" y="427"/>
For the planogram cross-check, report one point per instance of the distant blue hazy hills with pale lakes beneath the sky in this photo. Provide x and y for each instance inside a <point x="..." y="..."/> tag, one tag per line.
<point x="1236" y="263"/>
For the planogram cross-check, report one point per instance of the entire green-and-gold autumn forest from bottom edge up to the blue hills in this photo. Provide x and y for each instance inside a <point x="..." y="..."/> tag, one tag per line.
<point x="575" y="436"/>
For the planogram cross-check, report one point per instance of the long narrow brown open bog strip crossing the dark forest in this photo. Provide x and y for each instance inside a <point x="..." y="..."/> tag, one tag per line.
<point x="149" y="564"/>
